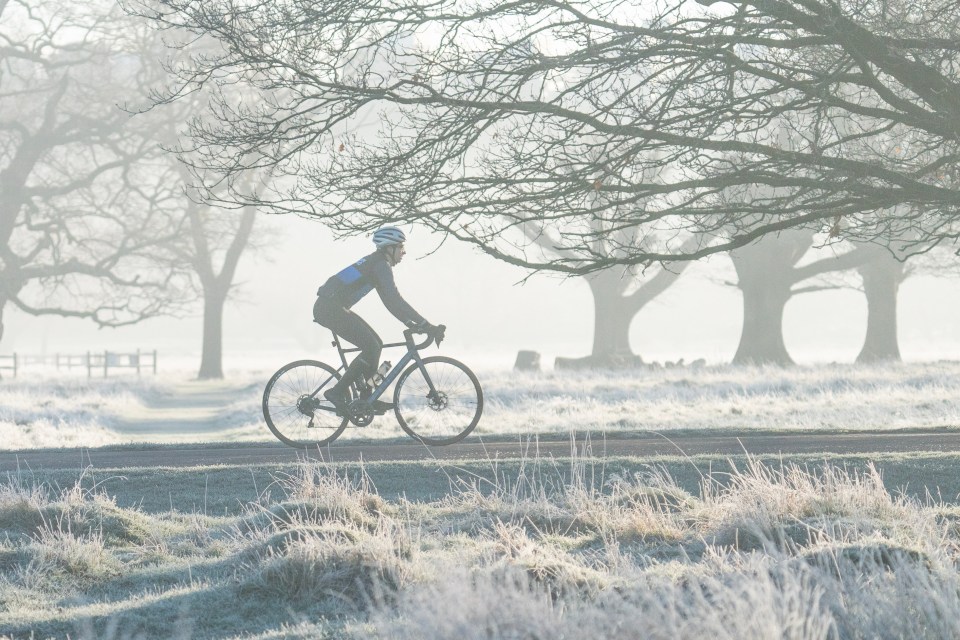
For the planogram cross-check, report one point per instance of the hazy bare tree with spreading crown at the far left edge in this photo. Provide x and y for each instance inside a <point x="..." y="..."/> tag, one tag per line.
<point x="87" y="213"/>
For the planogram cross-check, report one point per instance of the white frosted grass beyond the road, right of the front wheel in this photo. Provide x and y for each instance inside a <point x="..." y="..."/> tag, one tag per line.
<point x="724" y="397"/>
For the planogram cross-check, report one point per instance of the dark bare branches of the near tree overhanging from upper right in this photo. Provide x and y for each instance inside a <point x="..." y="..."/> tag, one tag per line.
<point x="490" y="112"/>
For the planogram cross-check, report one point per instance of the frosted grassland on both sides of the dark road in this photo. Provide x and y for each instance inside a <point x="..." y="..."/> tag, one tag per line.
<point x="802" y="547"/>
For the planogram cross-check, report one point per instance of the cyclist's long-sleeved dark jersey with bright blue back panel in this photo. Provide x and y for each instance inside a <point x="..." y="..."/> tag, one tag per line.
<point x="347" y="287"/>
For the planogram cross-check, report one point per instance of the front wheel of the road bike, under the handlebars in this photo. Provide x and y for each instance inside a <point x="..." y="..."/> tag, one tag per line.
<point x="439" y="401"/>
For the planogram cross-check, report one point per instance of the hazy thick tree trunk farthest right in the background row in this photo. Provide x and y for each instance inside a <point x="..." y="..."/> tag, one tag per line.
<point x="881" y="282"/>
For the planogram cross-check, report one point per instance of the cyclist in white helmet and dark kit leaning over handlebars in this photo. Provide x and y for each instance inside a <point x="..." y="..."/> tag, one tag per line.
<point x="345" y="289"/>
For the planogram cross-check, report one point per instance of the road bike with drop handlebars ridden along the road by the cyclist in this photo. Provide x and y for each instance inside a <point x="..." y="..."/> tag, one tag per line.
<point x="437" y="400"/>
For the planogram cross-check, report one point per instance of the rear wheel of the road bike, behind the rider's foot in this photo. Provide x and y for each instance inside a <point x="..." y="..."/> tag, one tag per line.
<point x="295" y="409"/>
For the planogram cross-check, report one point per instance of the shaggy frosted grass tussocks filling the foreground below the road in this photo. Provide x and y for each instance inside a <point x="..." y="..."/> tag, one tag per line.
<point x="767" y="552"/>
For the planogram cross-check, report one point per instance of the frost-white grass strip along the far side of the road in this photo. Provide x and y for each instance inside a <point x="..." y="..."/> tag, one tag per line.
<point x="72" y="411"/>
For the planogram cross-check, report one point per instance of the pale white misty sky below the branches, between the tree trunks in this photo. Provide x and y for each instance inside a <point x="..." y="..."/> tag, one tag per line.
<point x="490" y="317"/>
